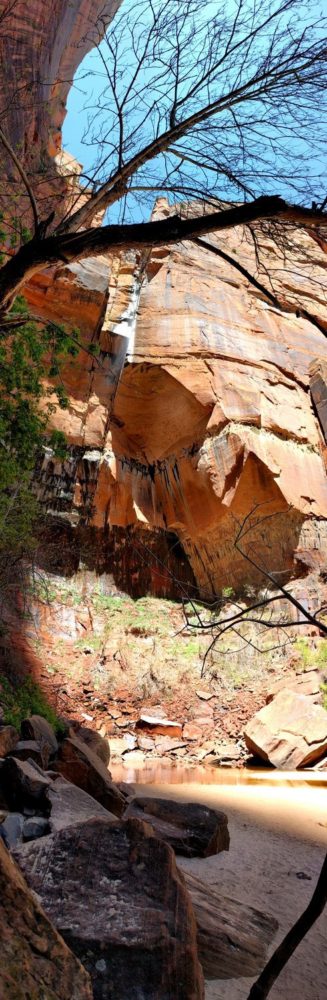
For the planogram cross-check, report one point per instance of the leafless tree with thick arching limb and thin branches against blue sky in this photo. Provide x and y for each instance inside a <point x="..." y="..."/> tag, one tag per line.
<point x="203" y="103"/>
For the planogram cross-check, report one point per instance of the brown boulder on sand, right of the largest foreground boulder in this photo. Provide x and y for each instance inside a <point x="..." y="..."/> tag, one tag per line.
<point x="233" y="938"/>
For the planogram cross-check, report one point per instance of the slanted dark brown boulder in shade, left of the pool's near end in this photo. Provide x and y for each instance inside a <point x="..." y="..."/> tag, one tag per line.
<point x="80" y="765"/>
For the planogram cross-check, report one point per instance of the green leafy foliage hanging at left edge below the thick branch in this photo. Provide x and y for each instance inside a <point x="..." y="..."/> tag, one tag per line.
<point x="30" y="353"/>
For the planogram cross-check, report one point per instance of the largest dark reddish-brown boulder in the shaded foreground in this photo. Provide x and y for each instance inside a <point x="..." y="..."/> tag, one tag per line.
<point x="115" y="893"/>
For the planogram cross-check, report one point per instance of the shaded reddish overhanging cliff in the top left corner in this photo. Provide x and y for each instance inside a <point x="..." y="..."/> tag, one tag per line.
<point x="40" y="49"/>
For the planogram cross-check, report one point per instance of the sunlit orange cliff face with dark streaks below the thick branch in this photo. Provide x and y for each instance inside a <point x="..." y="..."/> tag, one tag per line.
<point x="197" y="412"/>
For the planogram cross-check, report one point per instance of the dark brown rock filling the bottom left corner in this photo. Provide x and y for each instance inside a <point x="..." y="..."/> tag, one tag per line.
<point x="35" y="962"/>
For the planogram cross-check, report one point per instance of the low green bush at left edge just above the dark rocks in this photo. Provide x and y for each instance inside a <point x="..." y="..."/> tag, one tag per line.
<point x="25" y="698"/>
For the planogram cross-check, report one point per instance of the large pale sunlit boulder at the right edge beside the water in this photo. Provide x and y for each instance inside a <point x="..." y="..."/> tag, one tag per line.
<point x="290" y="732"/>
